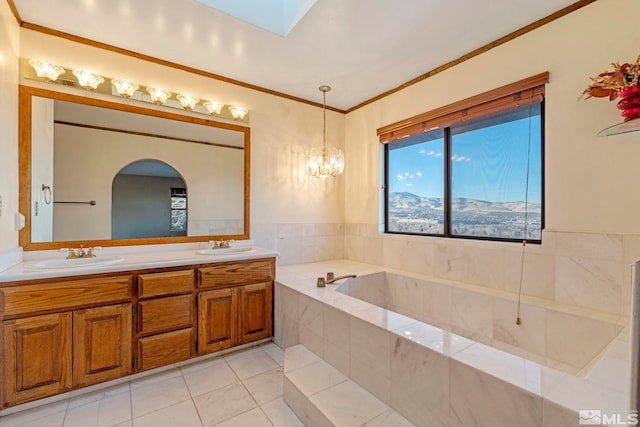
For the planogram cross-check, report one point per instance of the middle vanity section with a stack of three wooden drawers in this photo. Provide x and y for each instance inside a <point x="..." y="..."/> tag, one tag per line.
<point x="165" y="318"/>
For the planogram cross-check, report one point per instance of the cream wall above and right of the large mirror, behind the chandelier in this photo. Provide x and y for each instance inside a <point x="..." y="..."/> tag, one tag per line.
<point x="298" y="215"/>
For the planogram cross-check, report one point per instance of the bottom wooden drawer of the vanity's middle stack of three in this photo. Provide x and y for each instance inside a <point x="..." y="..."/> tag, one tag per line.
<point x="164" y="349"/>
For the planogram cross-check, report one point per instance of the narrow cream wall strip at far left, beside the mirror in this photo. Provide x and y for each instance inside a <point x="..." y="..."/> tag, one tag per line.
<point x="9" y="47"/>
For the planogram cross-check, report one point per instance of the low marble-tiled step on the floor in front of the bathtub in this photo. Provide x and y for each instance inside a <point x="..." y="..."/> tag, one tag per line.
<point x="320" y="395"/>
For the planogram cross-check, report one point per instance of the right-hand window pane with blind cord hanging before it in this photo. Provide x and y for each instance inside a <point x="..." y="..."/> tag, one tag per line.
<point x="489" y="175"/>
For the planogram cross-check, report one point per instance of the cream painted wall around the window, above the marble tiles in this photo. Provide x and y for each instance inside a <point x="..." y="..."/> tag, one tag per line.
<point x="590" y="181"/>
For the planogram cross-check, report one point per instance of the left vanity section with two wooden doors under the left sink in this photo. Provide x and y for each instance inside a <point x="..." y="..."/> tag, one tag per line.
<point x="56" y="339"/>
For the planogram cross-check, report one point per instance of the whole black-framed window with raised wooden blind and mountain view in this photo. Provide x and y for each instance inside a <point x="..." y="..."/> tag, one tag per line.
<point x="477" y="178"/>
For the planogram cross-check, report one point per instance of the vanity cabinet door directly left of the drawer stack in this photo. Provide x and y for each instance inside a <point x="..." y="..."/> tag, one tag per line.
<point x="102" y="344"/>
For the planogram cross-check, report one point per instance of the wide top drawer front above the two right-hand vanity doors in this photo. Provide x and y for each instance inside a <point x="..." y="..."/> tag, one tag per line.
<point x="236" y="273"/>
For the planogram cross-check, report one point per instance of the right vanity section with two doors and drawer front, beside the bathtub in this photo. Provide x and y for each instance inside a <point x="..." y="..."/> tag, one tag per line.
<point x="238" y="308"/>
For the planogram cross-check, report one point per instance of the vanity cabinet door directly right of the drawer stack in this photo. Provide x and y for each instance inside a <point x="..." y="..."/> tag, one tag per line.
<point x="217" y="320"/>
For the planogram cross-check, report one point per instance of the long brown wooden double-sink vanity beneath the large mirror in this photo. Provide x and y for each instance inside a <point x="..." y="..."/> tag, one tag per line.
<point x="75" y="329"/>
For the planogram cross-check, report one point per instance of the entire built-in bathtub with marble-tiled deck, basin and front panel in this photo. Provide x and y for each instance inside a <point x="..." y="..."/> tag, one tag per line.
<point x="449" y="354"/>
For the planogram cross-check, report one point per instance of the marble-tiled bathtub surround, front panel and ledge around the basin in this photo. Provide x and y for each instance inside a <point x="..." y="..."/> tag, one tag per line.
<point x="431" y="376"/>
